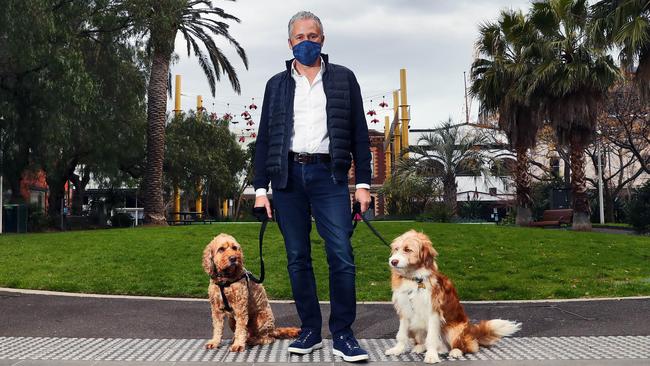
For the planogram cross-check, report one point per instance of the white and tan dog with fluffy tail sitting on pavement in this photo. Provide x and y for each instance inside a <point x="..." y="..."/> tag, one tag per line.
<point x="428" y="307"/>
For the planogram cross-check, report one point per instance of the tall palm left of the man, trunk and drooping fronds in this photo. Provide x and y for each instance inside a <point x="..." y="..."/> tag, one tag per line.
<point x="199" y="23"/>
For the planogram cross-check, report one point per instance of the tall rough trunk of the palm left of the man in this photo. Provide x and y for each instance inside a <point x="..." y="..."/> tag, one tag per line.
<point x="154" y="208"/>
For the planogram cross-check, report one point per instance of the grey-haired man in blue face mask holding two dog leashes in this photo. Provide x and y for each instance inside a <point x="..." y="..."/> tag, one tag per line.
<point x="312" y="125"/>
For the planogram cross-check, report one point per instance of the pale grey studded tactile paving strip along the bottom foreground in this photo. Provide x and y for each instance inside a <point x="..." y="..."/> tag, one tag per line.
<point x="172" y="350"/>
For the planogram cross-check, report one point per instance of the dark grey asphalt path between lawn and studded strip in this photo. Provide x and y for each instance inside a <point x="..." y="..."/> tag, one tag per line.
<point x="66" y="316"/>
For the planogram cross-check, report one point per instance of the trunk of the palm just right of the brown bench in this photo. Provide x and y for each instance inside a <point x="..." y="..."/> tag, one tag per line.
<point x="581" y="214"/>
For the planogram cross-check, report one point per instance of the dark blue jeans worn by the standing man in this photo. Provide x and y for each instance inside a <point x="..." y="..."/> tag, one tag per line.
<point x="312" y="191"/>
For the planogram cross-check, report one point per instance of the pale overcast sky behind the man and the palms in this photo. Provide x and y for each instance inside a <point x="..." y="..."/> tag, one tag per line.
<point x="432" y="39"/>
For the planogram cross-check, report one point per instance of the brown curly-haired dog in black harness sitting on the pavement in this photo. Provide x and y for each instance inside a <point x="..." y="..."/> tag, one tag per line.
<point x="250" y="316"/>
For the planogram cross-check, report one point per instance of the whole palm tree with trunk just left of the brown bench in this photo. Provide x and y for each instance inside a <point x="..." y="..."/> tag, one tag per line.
<point x="500" y="74"/>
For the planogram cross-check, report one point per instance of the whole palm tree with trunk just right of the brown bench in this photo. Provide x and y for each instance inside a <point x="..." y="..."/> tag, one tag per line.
<point x="575" y="77"/>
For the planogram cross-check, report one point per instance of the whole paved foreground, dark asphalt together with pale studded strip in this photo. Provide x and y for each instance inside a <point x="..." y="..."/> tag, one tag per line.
<point x="40" y="329"/>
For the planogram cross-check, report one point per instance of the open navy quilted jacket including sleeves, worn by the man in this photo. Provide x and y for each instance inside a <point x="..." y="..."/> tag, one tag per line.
<point x="346" y="127"/>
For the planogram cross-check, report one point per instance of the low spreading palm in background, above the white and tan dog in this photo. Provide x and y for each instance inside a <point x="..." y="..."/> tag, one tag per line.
<point x="443" y="154"/>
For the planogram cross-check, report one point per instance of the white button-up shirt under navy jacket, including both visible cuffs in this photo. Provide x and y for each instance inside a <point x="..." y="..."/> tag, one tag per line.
<point x="309" y="133"/>
